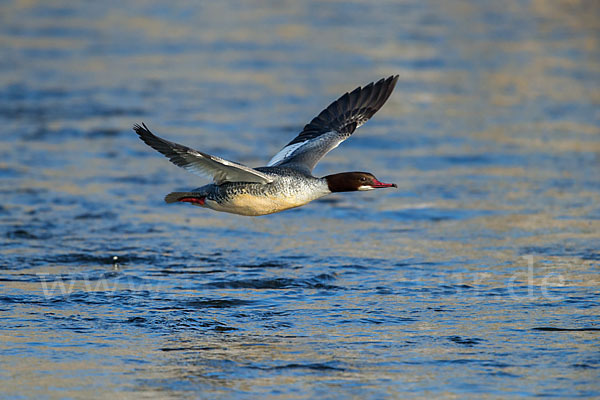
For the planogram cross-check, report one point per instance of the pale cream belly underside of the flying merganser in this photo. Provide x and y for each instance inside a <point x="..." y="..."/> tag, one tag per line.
<point x="253" y="205"/>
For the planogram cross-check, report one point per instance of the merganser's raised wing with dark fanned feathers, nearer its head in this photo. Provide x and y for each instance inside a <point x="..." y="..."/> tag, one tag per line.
<point x="334" y="125"/>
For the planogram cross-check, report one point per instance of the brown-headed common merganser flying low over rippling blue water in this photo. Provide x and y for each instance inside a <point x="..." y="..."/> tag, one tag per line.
<point x="287" y="181"/>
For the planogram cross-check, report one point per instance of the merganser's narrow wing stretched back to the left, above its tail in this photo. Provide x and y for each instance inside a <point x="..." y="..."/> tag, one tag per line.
<point x="201" y="163"/>
